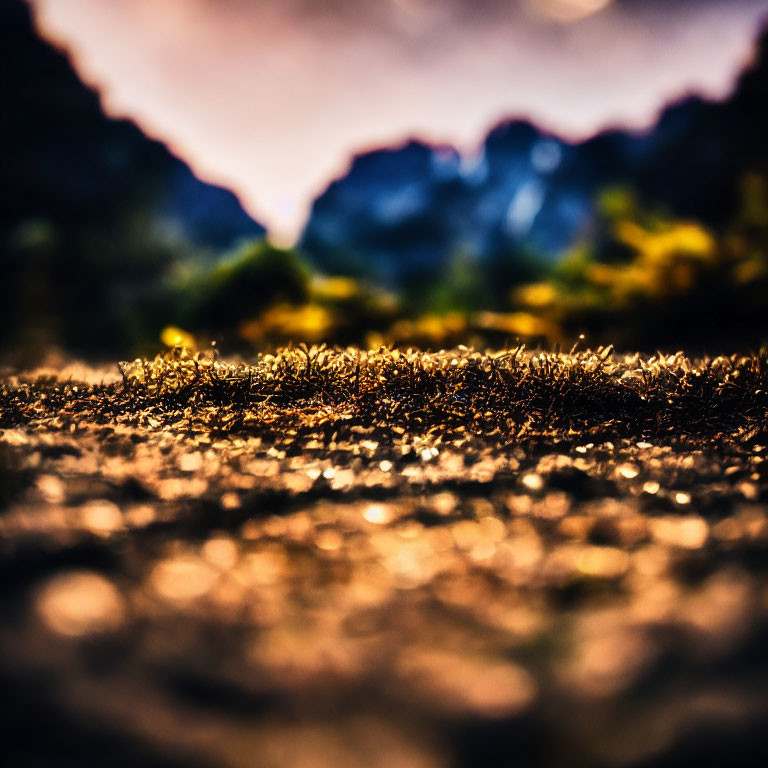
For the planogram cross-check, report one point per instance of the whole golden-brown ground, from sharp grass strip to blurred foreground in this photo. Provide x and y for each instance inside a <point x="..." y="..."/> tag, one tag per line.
<point x="350" y="559"/>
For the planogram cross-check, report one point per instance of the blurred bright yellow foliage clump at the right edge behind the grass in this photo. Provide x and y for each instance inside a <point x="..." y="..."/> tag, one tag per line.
<point x="645" y="280"/>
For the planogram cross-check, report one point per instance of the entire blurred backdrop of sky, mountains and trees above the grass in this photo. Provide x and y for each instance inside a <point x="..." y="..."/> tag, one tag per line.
<point x="405" y="172"/>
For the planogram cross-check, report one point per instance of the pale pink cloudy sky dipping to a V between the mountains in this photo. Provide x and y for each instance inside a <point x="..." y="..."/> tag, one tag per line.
<point x="272" y="98"/>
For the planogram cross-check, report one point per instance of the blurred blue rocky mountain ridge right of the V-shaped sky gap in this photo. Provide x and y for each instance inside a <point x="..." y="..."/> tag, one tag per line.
<point x="405" y="212"/>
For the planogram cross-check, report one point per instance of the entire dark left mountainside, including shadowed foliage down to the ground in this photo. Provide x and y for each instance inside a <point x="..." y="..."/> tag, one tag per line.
<point x="93" y="212"/>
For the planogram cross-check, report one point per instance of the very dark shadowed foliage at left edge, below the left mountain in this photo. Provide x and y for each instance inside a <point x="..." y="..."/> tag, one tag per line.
<point x="91" y="292"/>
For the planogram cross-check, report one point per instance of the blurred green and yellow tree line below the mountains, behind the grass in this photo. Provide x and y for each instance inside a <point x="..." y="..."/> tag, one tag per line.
<point x="639" y="280"/>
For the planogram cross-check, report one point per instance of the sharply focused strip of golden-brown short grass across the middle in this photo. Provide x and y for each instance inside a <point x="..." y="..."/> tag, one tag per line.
<point x="514" y="393"/>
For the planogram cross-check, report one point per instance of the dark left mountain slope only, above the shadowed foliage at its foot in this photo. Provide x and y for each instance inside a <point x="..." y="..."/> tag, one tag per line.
<point x="64" y="159"/>
